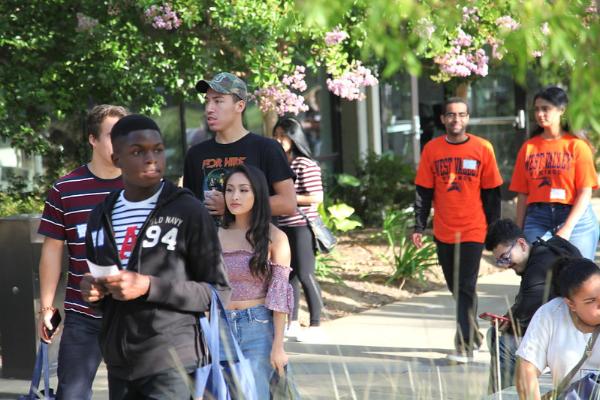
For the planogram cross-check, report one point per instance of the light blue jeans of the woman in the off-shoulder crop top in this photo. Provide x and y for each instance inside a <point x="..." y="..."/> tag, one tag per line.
<point x="253" y="329"/>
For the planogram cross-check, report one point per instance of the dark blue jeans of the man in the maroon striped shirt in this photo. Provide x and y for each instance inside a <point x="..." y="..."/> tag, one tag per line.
<point x="79" y="356"/>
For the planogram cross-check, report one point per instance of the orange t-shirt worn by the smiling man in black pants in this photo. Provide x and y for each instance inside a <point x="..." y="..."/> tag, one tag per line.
<point x="457" y="172"/>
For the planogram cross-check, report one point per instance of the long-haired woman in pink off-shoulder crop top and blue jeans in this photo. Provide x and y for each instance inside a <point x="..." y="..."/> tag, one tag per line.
<point x="257" y="259"/>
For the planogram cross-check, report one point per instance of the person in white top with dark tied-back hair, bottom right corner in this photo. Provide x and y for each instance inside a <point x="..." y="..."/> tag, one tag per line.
<point x="559" y="331"/>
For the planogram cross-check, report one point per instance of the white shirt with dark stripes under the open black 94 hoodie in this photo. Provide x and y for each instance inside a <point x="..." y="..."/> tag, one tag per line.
<point x="128" y="217"/>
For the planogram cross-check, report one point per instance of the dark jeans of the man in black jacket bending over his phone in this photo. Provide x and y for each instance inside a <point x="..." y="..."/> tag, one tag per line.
<point x="507" y="347"/>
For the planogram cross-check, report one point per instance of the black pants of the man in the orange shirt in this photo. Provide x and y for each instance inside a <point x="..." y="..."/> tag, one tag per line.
<point x="461" y="279"/>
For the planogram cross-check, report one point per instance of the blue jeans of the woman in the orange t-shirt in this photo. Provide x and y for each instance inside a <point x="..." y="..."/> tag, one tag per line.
<point x="543" y="220"/>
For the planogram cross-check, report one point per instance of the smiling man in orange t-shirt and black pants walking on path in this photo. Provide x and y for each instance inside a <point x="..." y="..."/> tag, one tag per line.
<point x="459" y="175"/>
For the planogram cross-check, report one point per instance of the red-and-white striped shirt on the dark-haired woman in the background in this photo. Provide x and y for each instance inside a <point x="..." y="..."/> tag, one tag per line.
<point x="308" y="182"/>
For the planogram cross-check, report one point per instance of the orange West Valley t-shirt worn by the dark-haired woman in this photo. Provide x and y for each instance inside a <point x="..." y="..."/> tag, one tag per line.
<point x="551" y="171"/>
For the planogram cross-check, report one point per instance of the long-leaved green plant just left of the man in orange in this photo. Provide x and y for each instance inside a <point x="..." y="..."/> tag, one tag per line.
<point x="409" y="262"/>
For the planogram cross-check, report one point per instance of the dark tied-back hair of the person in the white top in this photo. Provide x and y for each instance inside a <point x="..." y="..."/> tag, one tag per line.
<point x="569" y="273"/>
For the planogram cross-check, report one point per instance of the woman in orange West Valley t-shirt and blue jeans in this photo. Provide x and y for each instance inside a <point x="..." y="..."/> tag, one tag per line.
<point x="554" y="177"/>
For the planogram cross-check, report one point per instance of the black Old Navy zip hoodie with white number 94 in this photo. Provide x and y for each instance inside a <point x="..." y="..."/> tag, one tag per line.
<point x="160" y="330"/>
